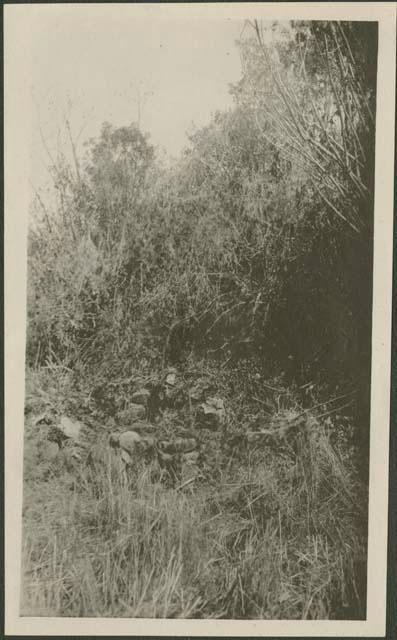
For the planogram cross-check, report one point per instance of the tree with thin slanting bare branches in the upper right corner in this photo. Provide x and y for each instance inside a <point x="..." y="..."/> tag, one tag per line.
<point x="313" y="95"/>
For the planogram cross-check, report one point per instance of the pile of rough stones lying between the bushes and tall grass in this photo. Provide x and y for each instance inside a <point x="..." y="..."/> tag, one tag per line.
<point x="135" y="439"/>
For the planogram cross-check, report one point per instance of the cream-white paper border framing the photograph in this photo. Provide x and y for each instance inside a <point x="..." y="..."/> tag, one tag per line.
<point x="19" y="21"/>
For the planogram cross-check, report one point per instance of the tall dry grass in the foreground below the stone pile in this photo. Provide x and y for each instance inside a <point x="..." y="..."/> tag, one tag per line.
<point x="272" y="529"/>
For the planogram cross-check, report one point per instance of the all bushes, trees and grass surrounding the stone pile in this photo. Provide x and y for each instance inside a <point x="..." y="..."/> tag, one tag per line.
<point x="247" y="261"/>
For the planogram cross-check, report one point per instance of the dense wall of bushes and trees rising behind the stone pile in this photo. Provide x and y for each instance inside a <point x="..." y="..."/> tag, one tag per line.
<point x="251" y="245"/>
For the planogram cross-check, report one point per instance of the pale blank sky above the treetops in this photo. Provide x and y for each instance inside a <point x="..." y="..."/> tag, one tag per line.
<point x="116" y="66"/>
